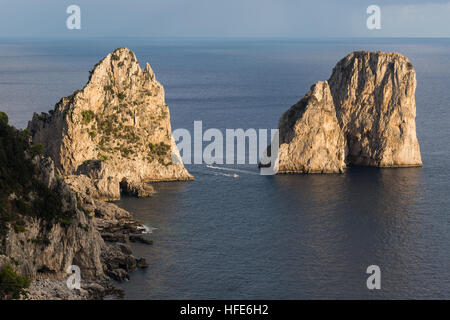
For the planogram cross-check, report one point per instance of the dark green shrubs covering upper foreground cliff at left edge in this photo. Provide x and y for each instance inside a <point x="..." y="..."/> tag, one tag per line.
<point x="21" y="194"/>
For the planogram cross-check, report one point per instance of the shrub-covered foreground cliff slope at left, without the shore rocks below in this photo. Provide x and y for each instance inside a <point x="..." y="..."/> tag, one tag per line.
<point x="43" y="229"/>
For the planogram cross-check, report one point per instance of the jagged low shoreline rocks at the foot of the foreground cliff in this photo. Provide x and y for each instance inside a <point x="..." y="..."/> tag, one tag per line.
<point x="117" y="229"/>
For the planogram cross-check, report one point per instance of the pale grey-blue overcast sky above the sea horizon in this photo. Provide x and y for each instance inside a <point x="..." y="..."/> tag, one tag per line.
<point x="226" y="18"/>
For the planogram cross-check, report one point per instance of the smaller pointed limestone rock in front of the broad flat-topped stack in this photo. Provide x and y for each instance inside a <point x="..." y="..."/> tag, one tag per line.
<point x="310" y="136"/>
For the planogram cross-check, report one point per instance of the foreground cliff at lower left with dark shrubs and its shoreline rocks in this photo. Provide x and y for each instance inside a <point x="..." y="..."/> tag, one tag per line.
<point x="45" y="226"/>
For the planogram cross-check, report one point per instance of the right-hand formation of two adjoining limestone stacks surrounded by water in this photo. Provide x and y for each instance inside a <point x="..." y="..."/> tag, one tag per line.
<point x="363" y="115"/>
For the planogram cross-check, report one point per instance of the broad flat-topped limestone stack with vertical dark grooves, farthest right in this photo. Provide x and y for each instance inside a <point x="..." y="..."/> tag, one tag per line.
<point x="374" y="96"/>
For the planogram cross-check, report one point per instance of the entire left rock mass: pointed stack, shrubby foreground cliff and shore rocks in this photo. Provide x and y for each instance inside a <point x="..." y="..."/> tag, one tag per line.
<point x="112" y="137"/>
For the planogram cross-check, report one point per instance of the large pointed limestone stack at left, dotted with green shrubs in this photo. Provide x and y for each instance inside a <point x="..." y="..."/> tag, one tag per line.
<point x="115" y="131"/>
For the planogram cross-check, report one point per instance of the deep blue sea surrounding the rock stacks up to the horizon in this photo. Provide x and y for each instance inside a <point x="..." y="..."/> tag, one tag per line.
<point x="278" y="237"/>
